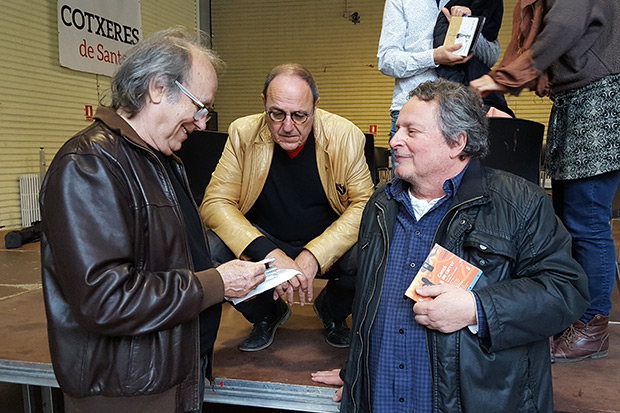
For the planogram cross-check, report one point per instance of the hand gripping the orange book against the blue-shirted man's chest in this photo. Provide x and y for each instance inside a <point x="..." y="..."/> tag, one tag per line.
<point x="451" y="309"/>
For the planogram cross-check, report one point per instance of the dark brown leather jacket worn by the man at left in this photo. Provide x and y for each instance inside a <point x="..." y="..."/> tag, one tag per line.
<point x="121" y="298"/>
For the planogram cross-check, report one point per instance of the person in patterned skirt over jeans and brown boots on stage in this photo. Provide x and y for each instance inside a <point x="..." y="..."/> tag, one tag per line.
<point x="569" y="50"/>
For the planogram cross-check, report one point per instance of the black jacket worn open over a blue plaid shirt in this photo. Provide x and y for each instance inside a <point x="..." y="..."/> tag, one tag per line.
<point x="530" y="289"/>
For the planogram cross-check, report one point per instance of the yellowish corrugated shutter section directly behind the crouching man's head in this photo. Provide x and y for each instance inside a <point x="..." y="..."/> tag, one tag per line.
<point x="253" y="36"/>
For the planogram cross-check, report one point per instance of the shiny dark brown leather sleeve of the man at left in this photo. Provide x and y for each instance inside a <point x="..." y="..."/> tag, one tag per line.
<point x="94" y="224"/>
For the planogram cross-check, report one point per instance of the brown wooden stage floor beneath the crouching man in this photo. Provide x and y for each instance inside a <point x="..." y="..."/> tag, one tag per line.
<point x="298" y="349"/>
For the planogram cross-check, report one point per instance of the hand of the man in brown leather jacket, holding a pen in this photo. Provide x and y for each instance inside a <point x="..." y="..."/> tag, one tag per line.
<point x="240" y="277"/>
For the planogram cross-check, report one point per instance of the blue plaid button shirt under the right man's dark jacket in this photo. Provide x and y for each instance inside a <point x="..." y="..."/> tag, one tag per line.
<point x="399" y="365"/>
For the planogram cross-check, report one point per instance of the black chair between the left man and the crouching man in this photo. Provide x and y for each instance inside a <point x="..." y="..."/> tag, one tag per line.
<point x="200" y="154"/>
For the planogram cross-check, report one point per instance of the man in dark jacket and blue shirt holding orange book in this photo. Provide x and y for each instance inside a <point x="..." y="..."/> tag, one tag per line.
<point x="478" y="351"/>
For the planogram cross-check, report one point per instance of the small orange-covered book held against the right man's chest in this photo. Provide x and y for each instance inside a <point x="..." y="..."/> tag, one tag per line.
<point x="443" y="267"/>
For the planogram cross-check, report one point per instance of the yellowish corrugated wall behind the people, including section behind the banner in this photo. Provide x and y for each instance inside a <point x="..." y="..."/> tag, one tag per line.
<point x="42" y="104"/>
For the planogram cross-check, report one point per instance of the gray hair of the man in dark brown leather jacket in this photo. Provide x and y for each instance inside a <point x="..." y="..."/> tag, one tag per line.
<point x="166" y="56"/>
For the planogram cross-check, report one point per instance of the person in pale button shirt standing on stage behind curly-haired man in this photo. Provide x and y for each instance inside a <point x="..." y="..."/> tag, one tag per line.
<point x="406" y="50"/>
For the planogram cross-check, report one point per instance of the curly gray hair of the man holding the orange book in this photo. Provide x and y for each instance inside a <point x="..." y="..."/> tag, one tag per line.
<point x="460" y="110"/>
